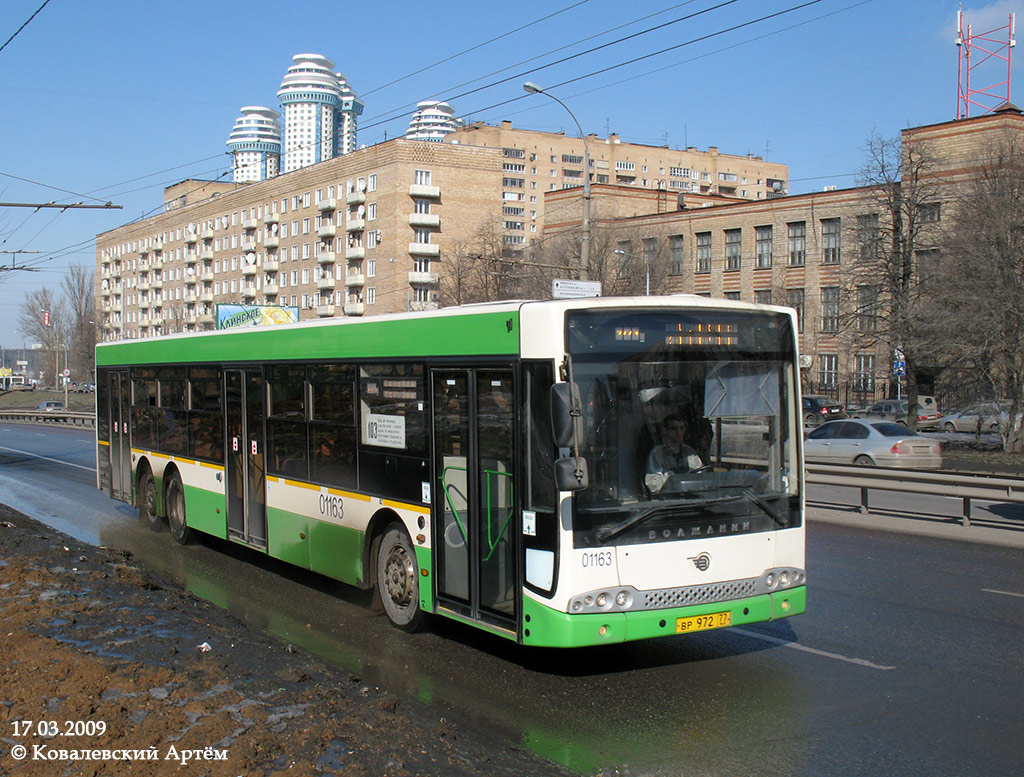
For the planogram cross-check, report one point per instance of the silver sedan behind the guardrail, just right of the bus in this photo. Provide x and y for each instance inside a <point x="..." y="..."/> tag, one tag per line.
<point x="872" y="444"/>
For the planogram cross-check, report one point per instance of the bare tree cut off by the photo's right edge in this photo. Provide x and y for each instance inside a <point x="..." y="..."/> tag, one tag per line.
<point x="978" y="283"/>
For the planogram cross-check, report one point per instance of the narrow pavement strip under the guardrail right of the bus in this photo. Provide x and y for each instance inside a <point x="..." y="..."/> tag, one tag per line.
<point x="985" y="529"/>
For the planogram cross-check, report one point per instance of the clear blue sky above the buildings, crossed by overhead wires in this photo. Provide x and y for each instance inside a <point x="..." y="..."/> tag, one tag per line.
<point x="115" y="101"/>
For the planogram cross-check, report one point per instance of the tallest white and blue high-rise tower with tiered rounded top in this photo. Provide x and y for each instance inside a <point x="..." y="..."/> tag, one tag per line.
<point x="320" y="110"/>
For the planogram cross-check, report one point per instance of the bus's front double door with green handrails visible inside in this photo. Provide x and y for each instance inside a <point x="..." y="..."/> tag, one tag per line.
<point x="474" y="494"/>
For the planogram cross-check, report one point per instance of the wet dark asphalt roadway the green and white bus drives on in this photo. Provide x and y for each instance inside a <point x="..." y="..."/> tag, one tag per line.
<point x="908" y="663"/>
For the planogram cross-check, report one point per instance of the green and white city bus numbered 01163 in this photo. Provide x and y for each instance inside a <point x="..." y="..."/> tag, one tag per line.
<point x="489" y="463"/>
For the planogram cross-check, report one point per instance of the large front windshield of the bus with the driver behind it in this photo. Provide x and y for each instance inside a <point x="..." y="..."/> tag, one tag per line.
<point x="689" y="428"/>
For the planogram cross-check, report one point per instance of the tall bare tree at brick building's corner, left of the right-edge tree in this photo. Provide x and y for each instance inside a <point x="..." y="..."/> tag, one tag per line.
<point x="887" y="303"/>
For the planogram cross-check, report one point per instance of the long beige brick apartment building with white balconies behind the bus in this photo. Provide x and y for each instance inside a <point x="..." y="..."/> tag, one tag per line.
<point x="358" y="235"/>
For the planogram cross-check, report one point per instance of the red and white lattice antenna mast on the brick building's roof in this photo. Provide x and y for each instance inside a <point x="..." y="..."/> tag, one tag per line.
<point x="975" y="51"/>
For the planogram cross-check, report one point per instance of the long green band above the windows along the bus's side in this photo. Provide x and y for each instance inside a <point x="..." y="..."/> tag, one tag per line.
<point x="468" y="335"/>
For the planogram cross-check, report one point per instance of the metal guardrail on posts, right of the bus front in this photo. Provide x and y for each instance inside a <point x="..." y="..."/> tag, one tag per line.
<point x="953" y="485"/>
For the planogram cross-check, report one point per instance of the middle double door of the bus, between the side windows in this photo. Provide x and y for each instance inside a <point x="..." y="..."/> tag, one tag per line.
<point x="244" y="401"/>
